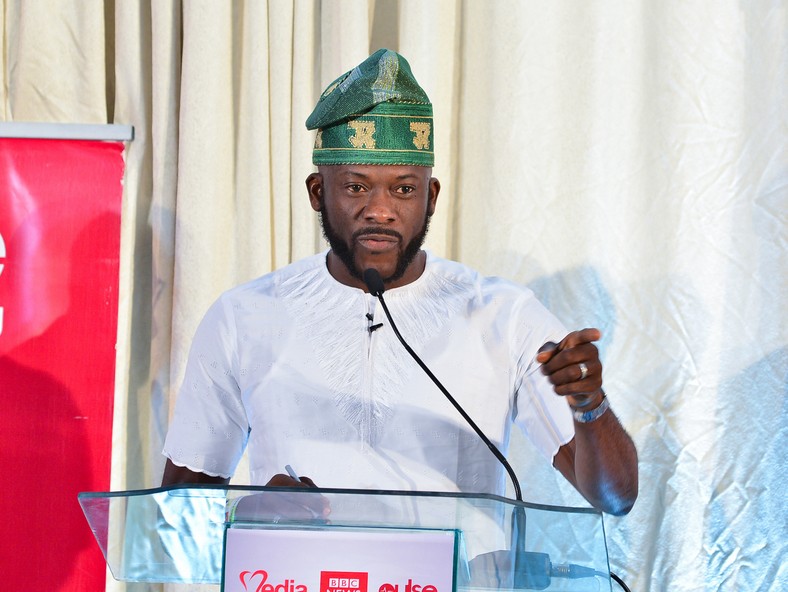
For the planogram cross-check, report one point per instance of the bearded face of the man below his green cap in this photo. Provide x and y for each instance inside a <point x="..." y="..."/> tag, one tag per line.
<point x="374" y="216"/>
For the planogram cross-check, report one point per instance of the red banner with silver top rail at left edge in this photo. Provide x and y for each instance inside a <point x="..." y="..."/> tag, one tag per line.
<point x="60" y="204"/>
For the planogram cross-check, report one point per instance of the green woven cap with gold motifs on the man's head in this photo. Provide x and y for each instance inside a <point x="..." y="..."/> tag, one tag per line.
<point x="375" y="114"/>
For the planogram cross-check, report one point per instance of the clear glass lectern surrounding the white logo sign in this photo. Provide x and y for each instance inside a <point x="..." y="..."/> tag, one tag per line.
<point x="177" y="534"/>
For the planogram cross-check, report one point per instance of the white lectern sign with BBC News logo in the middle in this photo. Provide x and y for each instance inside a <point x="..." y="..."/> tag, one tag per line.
<point x="338" y="560"/>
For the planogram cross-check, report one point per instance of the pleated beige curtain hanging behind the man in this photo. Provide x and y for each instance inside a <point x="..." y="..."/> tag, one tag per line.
<point x="626" y="160"/>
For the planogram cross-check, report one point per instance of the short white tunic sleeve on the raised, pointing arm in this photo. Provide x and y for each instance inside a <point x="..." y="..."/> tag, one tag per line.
<point x="543" y="416"/>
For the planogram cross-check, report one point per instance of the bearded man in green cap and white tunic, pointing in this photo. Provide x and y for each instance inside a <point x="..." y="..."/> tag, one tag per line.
<point x="302" y="364"/>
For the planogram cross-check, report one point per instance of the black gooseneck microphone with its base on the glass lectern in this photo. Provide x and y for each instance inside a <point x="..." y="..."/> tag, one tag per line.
<point x="529" y="569"/>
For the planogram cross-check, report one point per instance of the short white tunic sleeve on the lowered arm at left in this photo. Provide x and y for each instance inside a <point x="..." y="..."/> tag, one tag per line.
<point x="209" y="428"/>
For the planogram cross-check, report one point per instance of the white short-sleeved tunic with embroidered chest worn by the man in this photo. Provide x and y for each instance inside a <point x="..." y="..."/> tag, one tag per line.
<point x="287" y="364"/>
